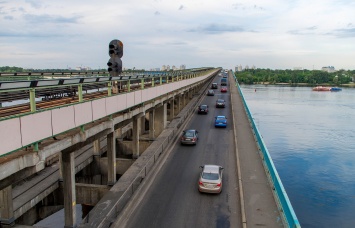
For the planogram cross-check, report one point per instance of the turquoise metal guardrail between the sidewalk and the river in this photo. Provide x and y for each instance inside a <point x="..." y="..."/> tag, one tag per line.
<point x="284" y="203"/>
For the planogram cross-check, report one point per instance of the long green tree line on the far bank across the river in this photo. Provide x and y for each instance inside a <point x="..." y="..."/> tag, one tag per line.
<point x="309" y="77"/>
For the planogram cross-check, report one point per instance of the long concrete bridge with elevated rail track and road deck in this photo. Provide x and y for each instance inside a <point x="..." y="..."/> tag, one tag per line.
<point x="117" y="155"/>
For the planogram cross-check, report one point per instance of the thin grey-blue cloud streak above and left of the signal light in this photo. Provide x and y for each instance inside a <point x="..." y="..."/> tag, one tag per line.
<point x="45" y="18"/>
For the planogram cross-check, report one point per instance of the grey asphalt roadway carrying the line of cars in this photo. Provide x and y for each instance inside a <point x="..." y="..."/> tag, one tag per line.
<point x="173" y="199"/>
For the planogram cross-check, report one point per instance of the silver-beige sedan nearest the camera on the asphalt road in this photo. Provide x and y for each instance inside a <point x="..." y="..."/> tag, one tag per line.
<point x="210" y="179"/>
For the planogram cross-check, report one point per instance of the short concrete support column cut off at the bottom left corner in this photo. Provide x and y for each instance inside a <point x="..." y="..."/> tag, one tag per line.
<point x="6" y="208"/>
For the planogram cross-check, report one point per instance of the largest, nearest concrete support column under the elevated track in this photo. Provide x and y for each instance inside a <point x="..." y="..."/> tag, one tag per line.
<point x="68" y="171"/>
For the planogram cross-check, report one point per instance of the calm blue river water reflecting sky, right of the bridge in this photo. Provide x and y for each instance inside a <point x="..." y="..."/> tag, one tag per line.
<point x="311" y="138"/>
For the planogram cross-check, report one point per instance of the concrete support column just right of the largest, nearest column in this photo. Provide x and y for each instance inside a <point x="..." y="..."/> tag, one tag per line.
<point x="111" y="158"/>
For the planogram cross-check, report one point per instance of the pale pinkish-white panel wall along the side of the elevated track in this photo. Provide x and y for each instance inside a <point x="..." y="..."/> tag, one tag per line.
<point x="18" y="132"/>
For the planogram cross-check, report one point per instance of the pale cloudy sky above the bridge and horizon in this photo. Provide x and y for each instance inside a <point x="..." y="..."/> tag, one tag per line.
<point x="275" y="34"/>
